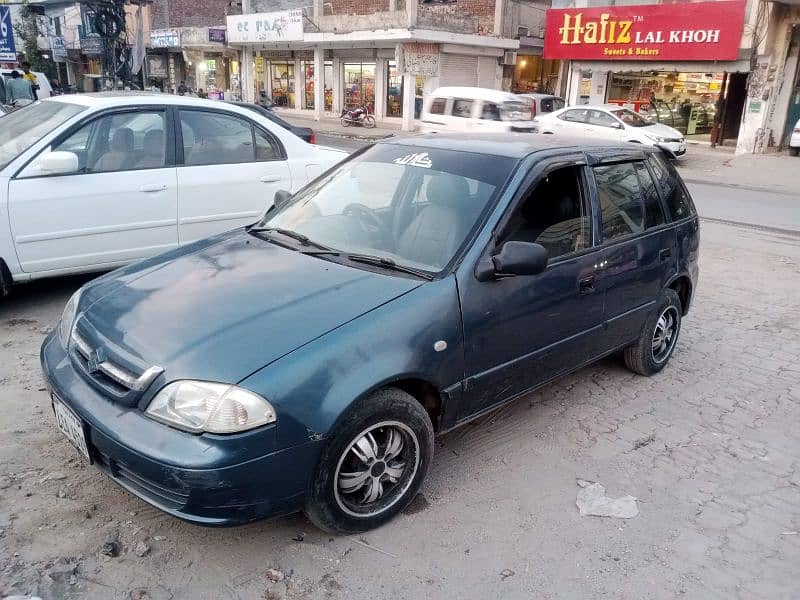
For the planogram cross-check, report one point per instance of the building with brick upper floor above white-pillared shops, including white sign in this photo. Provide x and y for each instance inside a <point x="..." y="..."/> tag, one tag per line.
<point x="323" y="57"/>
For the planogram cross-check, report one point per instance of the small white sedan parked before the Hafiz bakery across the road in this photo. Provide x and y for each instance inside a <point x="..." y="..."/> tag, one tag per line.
<point x="612" y="123"/>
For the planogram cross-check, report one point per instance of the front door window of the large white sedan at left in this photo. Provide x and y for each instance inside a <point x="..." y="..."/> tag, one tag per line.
<point x="119" y="142"/>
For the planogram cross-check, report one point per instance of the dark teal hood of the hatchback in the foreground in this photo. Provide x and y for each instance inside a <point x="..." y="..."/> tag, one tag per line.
<point x="226" y="309"/>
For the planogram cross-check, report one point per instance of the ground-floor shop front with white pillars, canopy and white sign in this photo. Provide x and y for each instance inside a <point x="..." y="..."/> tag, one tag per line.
<point x="322" y="73"/>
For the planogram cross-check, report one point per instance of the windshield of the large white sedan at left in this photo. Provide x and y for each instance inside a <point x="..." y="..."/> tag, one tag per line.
<point x="26" y="126"/>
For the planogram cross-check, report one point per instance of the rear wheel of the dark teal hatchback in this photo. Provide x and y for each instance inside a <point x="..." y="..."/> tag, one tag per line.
<point x="652" y="351"/>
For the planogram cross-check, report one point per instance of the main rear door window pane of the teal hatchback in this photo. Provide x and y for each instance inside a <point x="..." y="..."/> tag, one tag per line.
<point x="621" y="206"/>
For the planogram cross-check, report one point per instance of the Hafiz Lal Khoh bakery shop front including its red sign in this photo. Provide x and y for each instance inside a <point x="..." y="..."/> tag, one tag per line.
<point x="681" y="65"/>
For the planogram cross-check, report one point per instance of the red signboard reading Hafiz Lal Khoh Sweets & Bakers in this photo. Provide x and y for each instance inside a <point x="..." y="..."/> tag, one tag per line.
<point x="693" y="31"/>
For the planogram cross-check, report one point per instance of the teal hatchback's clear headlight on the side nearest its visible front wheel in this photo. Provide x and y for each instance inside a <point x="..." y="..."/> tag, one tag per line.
<point x="201" y="406"/>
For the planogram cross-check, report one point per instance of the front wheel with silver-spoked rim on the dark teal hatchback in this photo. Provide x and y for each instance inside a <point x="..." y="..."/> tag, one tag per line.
<point x="374" y="464"/>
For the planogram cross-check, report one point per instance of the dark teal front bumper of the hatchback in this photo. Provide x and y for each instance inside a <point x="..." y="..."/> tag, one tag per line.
<point x="197" y="478"/>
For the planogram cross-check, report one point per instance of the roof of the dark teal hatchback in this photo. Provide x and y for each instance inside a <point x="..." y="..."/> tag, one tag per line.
<point x="512" y="145"/>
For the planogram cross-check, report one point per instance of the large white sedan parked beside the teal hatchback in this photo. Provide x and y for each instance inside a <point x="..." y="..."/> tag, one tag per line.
<point x="91" y="182"/>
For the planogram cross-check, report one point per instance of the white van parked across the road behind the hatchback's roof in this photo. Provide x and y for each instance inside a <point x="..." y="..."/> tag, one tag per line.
<point x="475" y="110"/>
